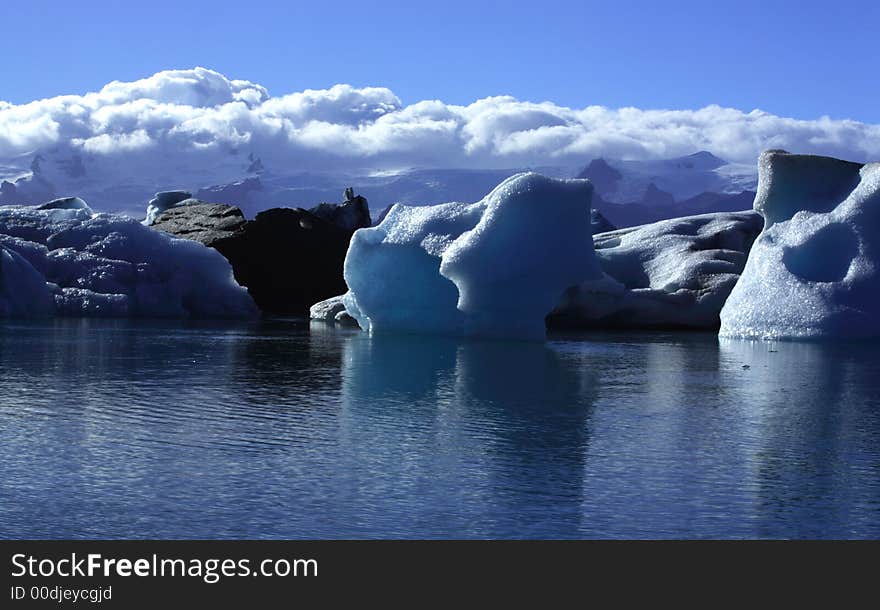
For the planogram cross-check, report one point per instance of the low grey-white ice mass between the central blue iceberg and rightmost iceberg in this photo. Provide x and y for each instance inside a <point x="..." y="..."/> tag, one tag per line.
<point x="675" y="272"/>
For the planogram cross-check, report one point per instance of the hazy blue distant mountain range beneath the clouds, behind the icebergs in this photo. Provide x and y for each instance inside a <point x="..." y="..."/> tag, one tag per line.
<point x="626" y="192"/>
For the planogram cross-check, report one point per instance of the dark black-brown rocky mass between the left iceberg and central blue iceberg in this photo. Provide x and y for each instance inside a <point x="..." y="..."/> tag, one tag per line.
<point x="288" y="258"/>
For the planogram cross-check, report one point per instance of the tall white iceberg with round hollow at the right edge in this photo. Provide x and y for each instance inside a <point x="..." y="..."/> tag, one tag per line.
<point x="814" y="272"/>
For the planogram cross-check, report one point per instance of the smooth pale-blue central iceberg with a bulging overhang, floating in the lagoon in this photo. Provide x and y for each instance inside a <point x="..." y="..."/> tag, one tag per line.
<point x="493" y="268"/>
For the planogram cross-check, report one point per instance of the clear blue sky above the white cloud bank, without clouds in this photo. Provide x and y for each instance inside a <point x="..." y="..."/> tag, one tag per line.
<point x="799" y="59"/>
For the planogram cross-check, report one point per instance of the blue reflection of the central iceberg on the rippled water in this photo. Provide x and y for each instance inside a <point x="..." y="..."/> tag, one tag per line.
<point x="491" y="433"/>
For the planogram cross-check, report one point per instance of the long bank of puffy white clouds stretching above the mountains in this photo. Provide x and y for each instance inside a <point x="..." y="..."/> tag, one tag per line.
<point x="198" y="117"/>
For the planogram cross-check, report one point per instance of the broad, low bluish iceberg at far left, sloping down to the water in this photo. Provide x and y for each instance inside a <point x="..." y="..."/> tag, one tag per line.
<point x="65" y="260"/>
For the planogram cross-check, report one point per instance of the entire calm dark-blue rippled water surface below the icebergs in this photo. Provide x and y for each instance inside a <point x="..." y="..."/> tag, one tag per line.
<point x="276" y="430"/>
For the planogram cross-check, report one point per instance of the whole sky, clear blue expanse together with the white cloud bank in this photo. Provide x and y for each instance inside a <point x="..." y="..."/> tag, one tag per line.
<point x="107" y="90"/>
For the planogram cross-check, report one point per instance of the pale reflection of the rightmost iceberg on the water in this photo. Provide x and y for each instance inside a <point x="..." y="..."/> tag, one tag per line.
<point x="815" y="412"/>
